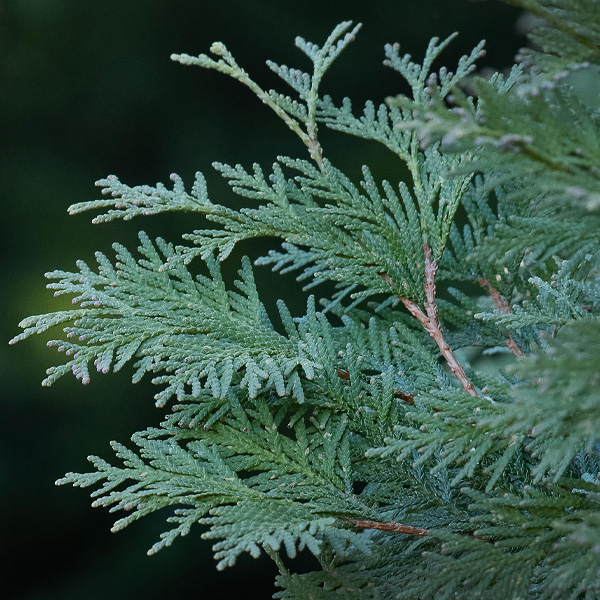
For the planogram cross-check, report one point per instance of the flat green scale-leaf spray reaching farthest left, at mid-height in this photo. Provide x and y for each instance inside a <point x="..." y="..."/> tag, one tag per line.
<point x="190" y="333"/>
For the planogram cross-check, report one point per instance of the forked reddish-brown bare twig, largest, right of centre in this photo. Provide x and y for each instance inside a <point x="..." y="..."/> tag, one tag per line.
<point x="430" y="321"/>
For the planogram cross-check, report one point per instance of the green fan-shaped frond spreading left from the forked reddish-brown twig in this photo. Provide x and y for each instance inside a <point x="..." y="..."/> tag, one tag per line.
<point x="350" y="231"/>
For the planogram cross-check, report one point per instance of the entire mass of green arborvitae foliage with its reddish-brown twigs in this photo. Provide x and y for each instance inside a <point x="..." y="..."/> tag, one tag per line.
<point x="360" y="431"/>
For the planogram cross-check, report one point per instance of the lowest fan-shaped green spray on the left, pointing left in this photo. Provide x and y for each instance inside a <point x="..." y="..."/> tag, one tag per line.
<point x="252" y="485"/>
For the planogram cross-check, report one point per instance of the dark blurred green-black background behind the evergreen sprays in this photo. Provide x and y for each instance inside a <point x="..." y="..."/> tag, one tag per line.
<point x="87" y="89"/>
